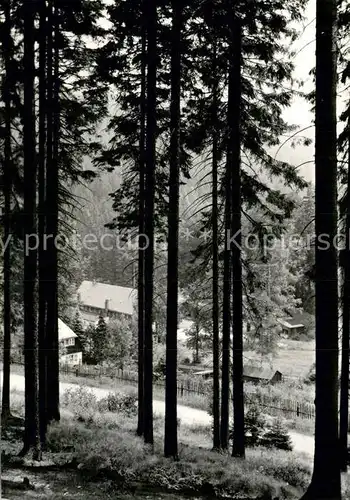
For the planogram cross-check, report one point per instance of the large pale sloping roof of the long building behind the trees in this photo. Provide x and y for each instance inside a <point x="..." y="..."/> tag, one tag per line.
<point x="120" y="298"/>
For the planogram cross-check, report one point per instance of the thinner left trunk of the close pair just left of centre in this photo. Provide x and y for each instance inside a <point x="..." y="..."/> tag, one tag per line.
<point x="141" y="251"/>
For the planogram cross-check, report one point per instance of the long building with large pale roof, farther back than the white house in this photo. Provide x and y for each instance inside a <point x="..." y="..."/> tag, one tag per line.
<point x="100" y="299"/>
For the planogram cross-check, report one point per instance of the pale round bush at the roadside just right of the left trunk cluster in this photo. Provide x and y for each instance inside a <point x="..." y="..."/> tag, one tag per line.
<point x="82" y="403"/>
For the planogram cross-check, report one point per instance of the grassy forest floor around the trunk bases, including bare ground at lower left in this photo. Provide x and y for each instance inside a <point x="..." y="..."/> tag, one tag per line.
<point x="103" y="458"/>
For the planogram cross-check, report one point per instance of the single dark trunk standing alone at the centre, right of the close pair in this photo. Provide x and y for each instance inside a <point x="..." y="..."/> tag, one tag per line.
<point x="170" y="435"/>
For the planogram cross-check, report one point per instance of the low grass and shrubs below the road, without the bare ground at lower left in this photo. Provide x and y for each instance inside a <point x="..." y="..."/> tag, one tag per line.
<point x="105" y="445"/>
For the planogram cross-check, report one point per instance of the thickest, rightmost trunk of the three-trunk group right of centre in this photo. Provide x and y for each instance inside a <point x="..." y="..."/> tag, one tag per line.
<point x="234" y="161"/>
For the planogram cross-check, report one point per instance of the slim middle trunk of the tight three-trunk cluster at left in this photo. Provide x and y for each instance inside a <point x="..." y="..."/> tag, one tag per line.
<point x="43" y="365"/>
